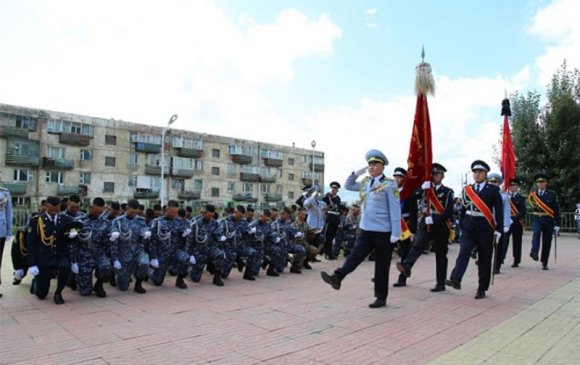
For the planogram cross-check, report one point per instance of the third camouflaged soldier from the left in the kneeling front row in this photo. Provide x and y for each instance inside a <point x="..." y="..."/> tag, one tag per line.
<point x="167" y="248"/>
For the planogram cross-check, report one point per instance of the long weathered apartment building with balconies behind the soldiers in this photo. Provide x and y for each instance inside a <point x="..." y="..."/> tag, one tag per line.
<point x="56" y="153"/>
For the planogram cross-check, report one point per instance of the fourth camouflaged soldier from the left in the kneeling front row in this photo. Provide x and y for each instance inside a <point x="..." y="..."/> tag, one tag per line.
<point x="202" y="243"/>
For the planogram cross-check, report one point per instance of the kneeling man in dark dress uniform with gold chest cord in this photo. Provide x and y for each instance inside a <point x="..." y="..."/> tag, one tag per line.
<point x="48" y="250"/>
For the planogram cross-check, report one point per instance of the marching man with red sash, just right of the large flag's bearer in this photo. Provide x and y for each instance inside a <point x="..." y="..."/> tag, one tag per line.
<point x="481" y="220"/>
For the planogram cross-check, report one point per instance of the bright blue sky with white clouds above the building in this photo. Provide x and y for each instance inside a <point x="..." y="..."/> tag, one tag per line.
<point x="339" y="73"/>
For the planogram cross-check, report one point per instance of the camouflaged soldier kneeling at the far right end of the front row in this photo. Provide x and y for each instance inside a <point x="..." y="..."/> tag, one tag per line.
<point x="283" y="229"/>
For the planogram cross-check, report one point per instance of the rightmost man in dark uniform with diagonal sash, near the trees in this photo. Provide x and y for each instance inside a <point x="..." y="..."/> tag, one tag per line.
<point x="545" y="219"/>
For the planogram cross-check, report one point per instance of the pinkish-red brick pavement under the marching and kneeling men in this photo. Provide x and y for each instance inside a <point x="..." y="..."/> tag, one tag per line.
<point x="287" y="320"/>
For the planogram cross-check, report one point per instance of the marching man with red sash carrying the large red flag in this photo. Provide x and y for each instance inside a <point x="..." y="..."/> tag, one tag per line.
<point x="432" y="222"/>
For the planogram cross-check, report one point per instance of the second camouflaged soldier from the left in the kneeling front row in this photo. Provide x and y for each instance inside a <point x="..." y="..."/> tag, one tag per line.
<point x="129" y="257"/>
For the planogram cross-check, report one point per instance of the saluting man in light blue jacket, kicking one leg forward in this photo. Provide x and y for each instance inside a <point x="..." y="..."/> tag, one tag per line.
<point x="380" y="225"/>
